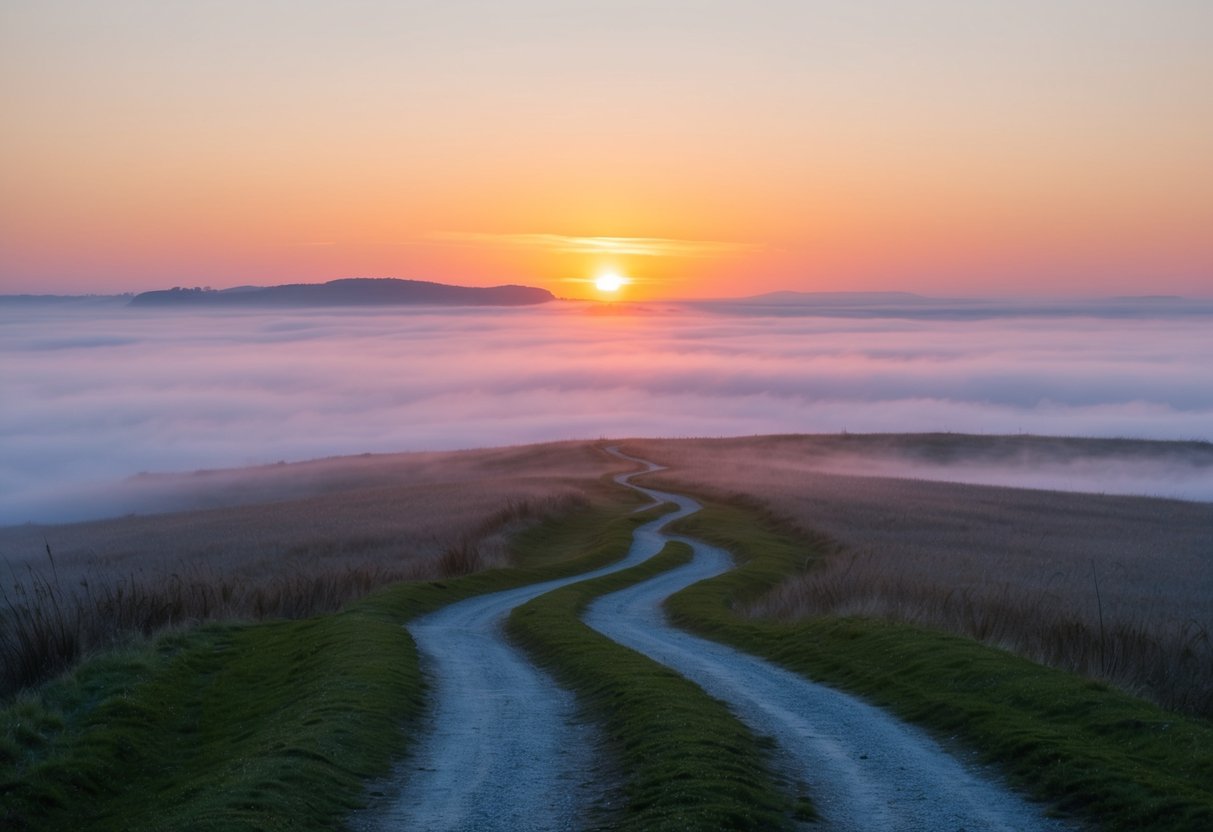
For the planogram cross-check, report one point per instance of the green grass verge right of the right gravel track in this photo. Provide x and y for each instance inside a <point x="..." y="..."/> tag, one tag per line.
<point x="1086" y="749"/>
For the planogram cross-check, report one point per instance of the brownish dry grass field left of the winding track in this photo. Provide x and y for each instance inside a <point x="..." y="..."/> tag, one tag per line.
<point x="291" y="542"/>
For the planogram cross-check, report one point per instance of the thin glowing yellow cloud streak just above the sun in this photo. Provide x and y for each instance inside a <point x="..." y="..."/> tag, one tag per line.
<point x="636" y="247"/>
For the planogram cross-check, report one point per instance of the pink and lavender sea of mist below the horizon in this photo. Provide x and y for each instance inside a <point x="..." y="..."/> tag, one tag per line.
<point x="95" y="394"/>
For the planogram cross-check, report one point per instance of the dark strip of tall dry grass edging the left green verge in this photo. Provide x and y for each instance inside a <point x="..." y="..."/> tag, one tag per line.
<point x="49" y="620"/>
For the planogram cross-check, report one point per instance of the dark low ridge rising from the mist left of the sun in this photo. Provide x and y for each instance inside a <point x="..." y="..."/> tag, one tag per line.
<point x="350" y="292"/>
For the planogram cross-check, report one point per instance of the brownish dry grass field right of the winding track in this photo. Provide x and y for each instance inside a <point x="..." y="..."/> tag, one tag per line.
<point x="1012" y="567"/>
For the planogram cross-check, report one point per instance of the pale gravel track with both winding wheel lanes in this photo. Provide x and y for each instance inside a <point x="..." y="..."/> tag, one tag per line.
<point x="504" y="750"/>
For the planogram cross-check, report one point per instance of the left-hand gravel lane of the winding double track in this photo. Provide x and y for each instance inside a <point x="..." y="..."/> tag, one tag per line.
<point x="503" y="749"/>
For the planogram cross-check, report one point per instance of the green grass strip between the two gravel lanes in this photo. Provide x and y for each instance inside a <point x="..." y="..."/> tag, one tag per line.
<point x="690" y="763"/>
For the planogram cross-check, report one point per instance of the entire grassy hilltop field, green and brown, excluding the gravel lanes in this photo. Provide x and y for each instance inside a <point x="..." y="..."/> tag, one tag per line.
<point x="288" y="721"/>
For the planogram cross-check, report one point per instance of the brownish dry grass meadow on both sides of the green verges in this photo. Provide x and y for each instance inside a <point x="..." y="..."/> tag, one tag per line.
<point x="1113" y="588"/>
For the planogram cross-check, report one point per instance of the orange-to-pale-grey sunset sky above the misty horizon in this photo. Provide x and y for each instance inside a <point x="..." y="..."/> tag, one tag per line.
<point x="697" y="149"/>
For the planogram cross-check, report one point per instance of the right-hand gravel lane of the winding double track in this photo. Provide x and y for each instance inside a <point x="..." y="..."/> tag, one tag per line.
<point x="865" y="770"/>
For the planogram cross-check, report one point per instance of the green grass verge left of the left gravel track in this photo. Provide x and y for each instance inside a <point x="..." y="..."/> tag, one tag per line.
<point x="260" y="727"/>
